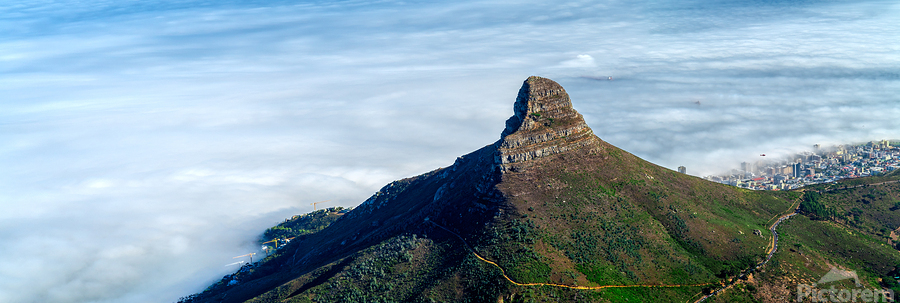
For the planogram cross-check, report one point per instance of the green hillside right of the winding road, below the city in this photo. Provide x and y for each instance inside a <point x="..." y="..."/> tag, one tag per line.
<point x="850" y="225"/>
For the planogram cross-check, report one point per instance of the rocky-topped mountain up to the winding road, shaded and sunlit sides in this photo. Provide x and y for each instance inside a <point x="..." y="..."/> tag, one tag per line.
<point x="548" y="203"/>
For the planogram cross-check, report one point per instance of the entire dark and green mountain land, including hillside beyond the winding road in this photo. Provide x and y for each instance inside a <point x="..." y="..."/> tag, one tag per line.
<point x="552" y="213"/>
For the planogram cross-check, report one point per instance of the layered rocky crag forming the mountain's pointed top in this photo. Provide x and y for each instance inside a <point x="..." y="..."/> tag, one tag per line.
<point x="544" y="123"/>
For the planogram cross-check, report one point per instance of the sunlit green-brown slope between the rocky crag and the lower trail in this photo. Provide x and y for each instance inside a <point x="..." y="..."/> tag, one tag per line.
<point x="604" y="217"/>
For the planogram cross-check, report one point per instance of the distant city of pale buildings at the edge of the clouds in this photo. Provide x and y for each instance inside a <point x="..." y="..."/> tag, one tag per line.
<point x="821" y="165"/>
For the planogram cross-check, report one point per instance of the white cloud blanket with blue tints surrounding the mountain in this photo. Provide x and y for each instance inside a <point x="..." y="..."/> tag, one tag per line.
<point x="145" y="143"/>
